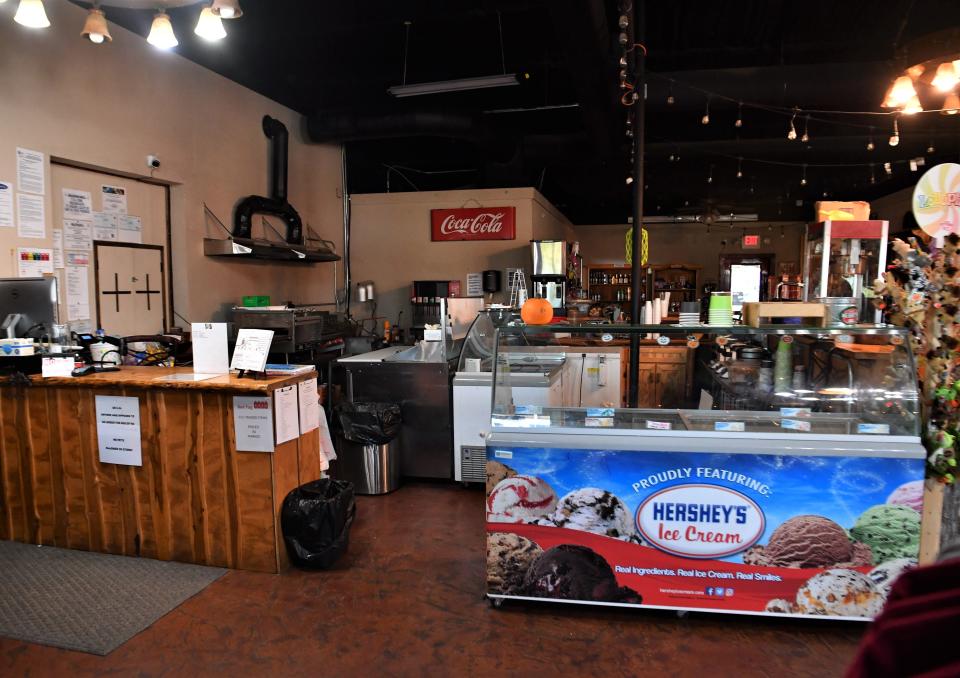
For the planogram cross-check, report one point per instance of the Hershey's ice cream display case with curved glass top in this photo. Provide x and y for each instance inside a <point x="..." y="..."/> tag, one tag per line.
<point x="790" y="482"/>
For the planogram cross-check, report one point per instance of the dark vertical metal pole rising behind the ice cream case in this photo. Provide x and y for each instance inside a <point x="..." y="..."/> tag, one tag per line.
<point x="635" y="61"/>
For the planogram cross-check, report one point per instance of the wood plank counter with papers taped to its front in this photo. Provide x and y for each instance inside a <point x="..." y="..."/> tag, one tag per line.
<point x="195" y="499"/>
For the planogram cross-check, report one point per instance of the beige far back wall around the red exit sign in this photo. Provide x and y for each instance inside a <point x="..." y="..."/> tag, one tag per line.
<point x="693" y="244"/>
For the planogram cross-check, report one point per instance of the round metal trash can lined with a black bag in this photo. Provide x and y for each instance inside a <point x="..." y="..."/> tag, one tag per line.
<point x="369" y="454"/>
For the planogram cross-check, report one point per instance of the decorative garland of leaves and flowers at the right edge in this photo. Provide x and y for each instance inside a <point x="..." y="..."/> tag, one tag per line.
<point x="921" y="292"/>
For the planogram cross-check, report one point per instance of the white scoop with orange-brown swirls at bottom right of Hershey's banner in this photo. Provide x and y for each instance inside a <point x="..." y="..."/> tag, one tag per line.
<point x="840" y="592"/>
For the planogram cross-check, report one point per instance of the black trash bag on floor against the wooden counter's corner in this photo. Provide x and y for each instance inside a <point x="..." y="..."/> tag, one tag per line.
<point x="316" y="519"/>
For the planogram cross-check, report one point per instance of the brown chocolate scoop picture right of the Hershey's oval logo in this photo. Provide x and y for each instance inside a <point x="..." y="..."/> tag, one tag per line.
<point x="809" y="541"/>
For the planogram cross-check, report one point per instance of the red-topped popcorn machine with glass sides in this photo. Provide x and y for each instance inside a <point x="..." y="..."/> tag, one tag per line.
<point x="841" y="261"/>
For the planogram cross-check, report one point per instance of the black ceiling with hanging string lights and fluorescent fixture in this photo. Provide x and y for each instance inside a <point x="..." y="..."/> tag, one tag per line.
<point x="336" y="60"/>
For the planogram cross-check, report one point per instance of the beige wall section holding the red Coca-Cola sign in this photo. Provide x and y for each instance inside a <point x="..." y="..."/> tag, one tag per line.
<point x="390" y="241"/>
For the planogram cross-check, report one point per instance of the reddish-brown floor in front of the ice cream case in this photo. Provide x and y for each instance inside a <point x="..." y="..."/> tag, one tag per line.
<point x="407" y="600"/>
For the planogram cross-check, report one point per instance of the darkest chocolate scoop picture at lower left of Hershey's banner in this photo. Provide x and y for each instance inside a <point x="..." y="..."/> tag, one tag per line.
<point x="573" y="572"/>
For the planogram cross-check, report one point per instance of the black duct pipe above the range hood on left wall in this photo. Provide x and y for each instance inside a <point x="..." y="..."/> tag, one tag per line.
<point x="275" y="205"/>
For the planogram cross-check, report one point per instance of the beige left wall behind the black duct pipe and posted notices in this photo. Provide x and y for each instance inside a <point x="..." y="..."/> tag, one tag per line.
<point x="111" y="105"/>
